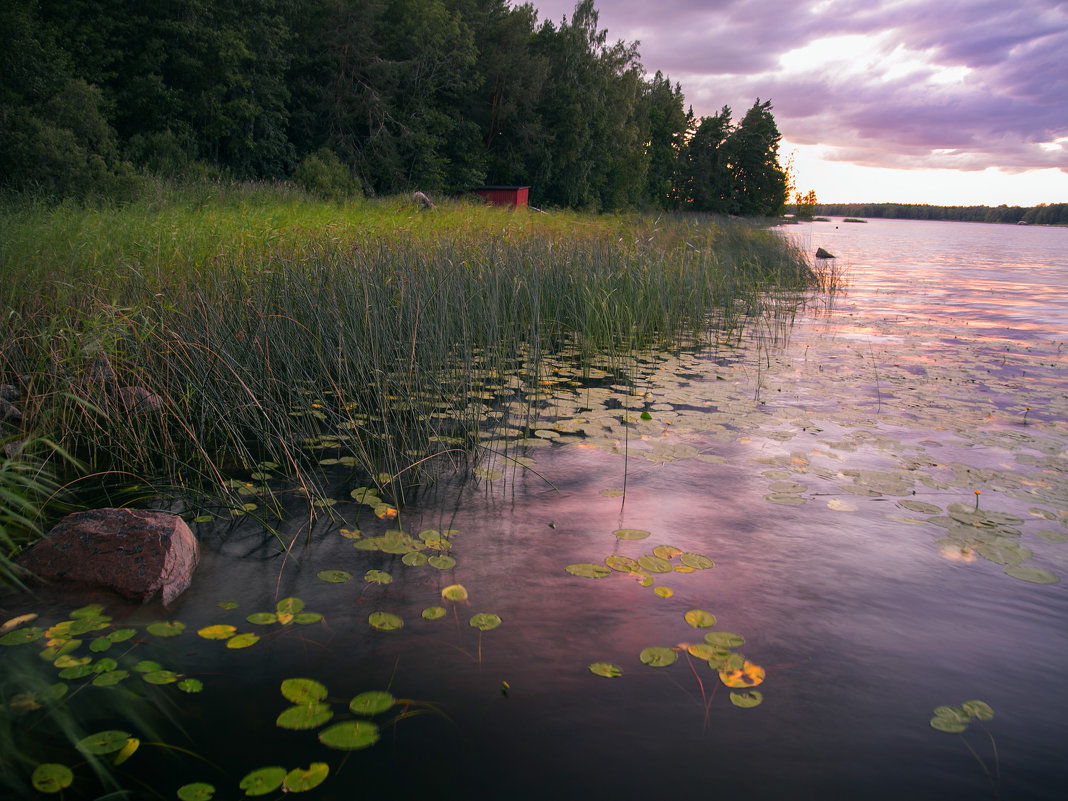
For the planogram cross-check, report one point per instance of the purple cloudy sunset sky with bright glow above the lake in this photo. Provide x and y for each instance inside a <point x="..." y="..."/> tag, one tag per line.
<point x="939" y="102"/>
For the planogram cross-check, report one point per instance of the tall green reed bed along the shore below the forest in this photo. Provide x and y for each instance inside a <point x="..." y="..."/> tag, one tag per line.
<point x="228" y="337"/>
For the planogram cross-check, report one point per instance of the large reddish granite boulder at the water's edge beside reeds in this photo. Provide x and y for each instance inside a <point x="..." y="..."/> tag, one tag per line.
<point x="135" y="554"/>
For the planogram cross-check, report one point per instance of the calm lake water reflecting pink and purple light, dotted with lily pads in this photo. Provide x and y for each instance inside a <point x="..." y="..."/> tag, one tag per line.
<point x="829" y="469"/>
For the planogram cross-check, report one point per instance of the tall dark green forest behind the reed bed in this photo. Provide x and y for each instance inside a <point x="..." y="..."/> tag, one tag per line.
<point x="379" y="97"/>
